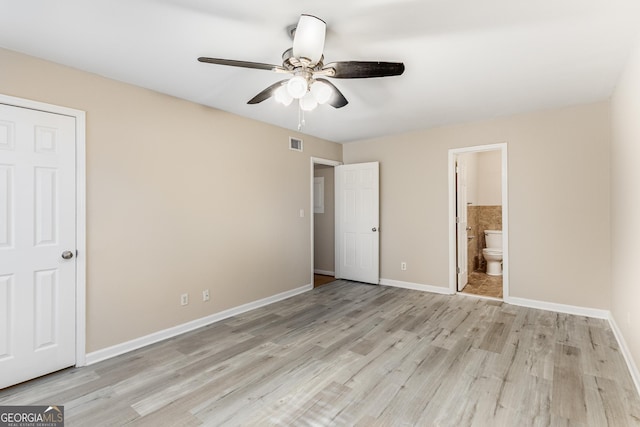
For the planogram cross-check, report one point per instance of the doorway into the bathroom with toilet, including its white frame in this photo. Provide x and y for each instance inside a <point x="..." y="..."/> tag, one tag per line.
<point x="478" y="221"/>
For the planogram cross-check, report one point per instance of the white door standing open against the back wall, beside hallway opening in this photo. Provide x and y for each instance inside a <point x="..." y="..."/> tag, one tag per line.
<point x="357" y="217"/>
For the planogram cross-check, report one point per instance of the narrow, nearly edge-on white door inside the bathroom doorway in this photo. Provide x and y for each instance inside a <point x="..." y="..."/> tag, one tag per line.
<point x="461" y="223"/>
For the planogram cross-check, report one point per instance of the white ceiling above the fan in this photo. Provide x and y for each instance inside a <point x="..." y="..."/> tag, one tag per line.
<point x="465" y="59"/>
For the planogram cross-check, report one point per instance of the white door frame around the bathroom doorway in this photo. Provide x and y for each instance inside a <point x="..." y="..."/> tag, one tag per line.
<point x="505" y="213"/>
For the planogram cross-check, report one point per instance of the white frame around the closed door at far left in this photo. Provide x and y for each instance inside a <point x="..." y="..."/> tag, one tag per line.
<point x="81" y="247"/>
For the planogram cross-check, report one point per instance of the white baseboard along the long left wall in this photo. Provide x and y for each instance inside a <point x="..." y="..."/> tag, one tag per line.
<point x="125" y="347"/>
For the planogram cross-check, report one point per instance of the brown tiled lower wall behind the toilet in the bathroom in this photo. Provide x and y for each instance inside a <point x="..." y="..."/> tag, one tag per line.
<point x="481" y="218"/>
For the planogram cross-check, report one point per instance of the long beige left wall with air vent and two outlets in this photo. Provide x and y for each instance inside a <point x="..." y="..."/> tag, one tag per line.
<point x="180" y="198"/>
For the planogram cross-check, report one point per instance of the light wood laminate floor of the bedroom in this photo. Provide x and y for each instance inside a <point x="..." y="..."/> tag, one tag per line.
<point x="352" y="354"/>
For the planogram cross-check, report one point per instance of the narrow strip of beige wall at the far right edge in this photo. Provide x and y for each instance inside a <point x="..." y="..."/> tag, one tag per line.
<point x="625" y="204"/>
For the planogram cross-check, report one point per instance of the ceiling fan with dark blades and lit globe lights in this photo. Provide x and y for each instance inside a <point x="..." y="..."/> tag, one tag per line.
<point x="304" y="62"/>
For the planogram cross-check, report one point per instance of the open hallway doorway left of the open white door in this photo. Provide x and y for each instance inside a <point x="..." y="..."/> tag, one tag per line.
<point x="323" y="221"/>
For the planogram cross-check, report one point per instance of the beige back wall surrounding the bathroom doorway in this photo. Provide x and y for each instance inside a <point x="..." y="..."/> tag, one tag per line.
<point x="558" y="201"/>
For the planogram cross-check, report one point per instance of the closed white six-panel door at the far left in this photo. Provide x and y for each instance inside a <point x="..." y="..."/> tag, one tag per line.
<point x="37" y="243"/>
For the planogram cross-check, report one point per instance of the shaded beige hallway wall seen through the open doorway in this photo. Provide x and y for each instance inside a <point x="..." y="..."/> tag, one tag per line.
<point x="324" y="223"/>
